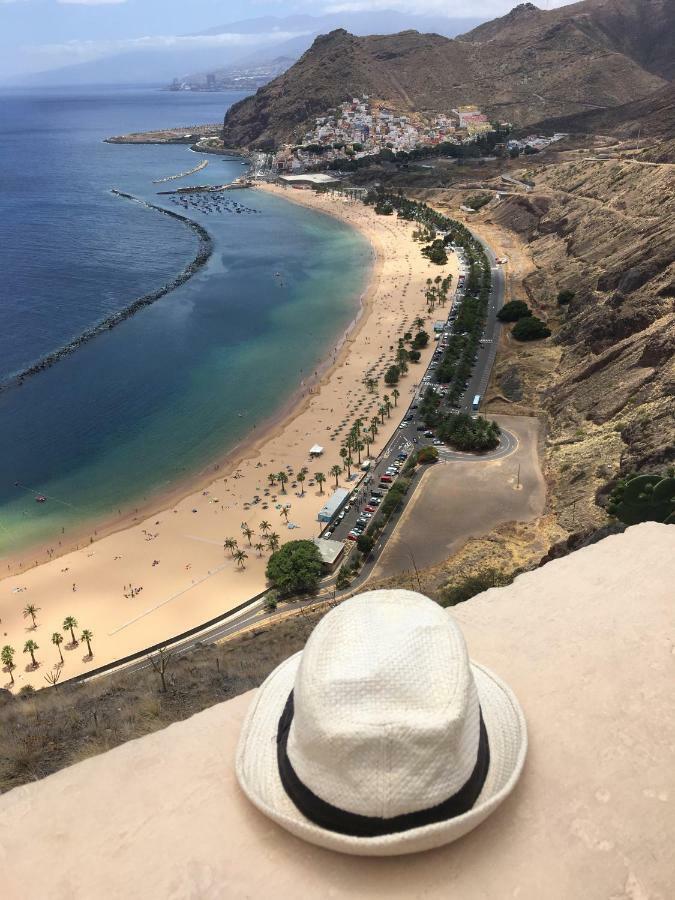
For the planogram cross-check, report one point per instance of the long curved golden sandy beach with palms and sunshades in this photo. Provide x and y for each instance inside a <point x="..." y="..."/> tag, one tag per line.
<point x="153" y="578"/>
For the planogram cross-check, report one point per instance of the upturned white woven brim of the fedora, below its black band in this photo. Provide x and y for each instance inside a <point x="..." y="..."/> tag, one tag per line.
<point x="258" y="774"/>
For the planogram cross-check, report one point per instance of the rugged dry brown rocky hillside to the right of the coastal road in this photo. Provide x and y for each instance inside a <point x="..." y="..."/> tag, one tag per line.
<point x="603" y="229"/>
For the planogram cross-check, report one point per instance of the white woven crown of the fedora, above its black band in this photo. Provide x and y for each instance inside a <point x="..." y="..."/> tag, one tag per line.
<point x="386" y="714"/>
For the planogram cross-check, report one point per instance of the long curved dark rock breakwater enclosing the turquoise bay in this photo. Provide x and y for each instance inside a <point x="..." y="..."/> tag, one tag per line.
<point x="204" y="251"/>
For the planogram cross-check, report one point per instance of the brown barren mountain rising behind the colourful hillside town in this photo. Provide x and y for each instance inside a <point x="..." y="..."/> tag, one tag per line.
<point x="527" y="66"/>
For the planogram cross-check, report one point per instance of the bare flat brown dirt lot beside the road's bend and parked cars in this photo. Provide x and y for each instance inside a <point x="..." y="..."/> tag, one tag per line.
<point x="459" y="500"/>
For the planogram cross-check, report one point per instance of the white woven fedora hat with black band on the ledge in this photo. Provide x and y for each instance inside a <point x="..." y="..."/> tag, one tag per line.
<point x="381" y="737"/>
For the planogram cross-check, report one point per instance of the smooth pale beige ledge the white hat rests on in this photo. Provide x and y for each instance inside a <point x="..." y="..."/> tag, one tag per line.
<point x="586" y="642"/>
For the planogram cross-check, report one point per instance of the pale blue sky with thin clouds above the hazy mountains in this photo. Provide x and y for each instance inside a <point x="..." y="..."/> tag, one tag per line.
<point x="39" y="35"/>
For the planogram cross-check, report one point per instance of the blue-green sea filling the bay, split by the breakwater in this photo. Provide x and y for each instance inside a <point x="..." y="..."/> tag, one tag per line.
<point x="172" y="389"/>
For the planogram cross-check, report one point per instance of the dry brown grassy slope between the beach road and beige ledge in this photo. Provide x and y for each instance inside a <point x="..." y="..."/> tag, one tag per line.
<point x="43" y="732"/>
